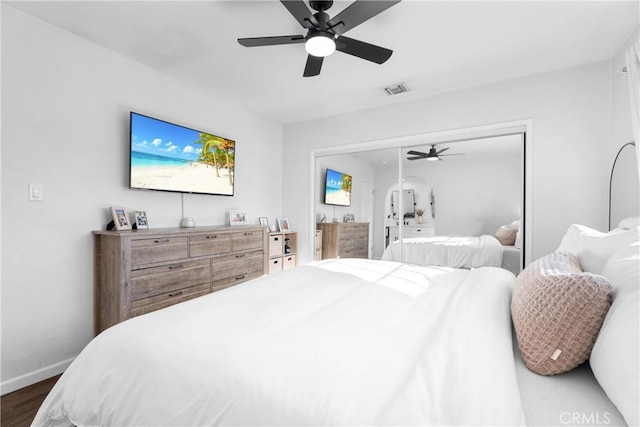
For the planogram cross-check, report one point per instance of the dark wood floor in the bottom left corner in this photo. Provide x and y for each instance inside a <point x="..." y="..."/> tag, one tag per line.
<point x="20" y="407"/>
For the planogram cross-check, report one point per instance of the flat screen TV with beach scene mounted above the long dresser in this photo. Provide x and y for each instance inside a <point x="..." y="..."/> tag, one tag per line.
<point x="169" y="157"/>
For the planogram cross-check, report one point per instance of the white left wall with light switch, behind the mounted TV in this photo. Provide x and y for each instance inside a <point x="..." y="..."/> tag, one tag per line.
<point x="65" y="105"/>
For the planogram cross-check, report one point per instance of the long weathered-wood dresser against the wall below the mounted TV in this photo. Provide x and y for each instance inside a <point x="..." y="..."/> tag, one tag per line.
<point x="136" y="272"/>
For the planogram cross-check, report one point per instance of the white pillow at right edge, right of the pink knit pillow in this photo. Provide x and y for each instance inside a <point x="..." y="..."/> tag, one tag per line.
<point x="614" y="359"/>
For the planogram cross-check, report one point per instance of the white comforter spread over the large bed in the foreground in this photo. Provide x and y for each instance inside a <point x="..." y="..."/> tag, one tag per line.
<point x="316" y="345"/>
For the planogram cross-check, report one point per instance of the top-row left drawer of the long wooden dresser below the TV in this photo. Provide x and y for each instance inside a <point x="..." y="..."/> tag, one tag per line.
<point x="161" y="249"/>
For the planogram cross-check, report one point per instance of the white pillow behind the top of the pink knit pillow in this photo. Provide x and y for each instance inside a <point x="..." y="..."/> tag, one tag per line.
<point x="594" y="248"/>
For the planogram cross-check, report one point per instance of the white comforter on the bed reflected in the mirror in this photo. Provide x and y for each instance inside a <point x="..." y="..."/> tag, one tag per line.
<point x="447" y="251"/>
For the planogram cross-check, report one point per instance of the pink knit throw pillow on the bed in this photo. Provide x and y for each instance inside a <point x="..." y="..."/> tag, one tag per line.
<point x="557" y="311"/>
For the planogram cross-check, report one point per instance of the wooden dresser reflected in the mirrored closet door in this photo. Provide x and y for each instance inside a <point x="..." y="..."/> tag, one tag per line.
<point x="344" y="239"/>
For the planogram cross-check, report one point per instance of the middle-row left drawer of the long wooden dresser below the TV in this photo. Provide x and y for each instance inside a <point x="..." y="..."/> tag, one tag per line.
<point x="148" y="282"/>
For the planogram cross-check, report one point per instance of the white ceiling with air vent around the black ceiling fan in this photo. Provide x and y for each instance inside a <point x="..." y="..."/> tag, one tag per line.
<point x="438" y="46"/>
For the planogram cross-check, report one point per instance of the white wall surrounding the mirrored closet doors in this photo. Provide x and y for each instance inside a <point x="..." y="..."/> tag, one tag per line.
<point x="571" y="114"/>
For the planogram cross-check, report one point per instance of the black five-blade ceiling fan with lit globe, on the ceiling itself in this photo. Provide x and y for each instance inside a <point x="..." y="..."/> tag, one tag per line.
<point x="325" y="34"/>
